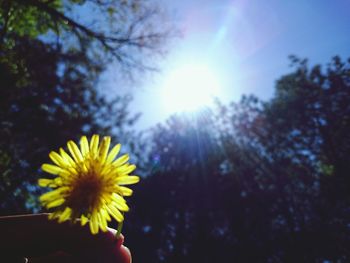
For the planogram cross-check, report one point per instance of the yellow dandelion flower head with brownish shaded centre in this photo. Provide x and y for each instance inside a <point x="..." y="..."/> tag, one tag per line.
<point x="89" y="183"/>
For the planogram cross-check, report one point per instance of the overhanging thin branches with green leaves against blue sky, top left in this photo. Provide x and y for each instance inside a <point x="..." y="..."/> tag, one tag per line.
<point x="123" y="30"/>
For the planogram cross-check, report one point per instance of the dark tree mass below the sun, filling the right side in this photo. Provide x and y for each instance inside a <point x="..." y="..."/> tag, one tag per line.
<point x="251" y="181"/>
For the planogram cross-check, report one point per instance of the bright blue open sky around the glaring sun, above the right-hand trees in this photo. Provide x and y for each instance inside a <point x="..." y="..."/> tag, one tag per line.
<point x="239" y="47"/>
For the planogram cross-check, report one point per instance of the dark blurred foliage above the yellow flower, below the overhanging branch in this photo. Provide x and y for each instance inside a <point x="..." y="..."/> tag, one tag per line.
<point x="45" y="108"/>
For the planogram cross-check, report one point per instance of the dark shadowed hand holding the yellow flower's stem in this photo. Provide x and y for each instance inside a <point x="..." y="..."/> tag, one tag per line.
<point x="34" y="238"/>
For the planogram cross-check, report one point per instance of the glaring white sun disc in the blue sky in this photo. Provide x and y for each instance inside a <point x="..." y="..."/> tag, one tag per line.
<point x="189" y="88"/>
